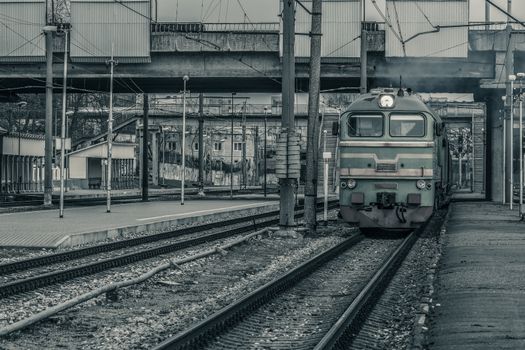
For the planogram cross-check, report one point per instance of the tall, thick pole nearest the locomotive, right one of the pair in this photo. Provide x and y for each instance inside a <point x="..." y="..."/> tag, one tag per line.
<point x="312" y="151"/>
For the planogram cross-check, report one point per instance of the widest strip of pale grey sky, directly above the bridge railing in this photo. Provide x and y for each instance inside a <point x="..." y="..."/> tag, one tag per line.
<point x="215" y="11"/>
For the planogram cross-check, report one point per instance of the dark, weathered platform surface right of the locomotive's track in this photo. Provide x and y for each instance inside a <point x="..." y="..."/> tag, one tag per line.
<point x="480" y="288"/>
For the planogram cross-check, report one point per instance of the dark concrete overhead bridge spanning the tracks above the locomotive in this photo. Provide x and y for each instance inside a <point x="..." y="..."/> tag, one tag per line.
<point x="249" y="61"/>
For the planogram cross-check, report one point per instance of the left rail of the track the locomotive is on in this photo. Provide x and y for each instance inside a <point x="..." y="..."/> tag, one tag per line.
<point x="199" y="334"/>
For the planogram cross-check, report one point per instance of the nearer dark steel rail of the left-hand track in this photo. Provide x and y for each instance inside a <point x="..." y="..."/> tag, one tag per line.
<point x="39" y="281"/>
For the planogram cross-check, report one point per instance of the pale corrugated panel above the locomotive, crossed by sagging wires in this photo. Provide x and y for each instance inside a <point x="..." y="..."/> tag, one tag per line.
<point x="411" y="17"/>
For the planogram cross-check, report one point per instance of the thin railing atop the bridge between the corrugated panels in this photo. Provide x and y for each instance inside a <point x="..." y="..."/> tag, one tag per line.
<point x="197" y="27"/>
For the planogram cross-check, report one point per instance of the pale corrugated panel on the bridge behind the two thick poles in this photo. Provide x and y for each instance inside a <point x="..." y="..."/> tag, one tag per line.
<point x="340" y="27"/>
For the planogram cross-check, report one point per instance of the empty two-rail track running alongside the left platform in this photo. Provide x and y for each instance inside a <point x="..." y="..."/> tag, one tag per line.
<point x="41" y="280"/>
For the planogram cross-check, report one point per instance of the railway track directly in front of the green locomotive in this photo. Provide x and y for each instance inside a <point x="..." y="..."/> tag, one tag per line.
<point x="237" y="323"/>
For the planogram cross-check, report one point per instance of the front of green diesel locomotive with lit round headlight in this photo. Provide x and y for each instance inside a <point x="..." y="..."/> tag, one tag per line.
<point x="389" y="161"/>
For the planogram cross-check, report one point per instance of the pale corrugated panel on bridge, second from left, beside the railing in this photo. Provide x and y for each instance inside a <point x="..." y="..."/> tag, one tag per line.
<point x="96" y="24"/>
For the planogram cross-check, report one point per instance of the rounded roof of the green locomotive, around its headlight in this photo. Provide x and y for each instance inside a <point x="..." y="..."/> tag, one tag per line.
<point x="410" y="103"/>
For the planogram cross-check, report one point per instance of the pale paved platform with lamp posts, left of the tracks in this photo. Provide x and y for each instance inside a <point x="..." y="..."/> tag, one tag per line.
<point x="44" y="229"/>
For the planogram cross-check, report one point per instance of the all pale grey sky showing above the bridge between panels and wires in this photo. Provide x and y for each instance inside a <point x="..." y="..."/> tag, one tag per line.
<point x="213" y="11"/>
